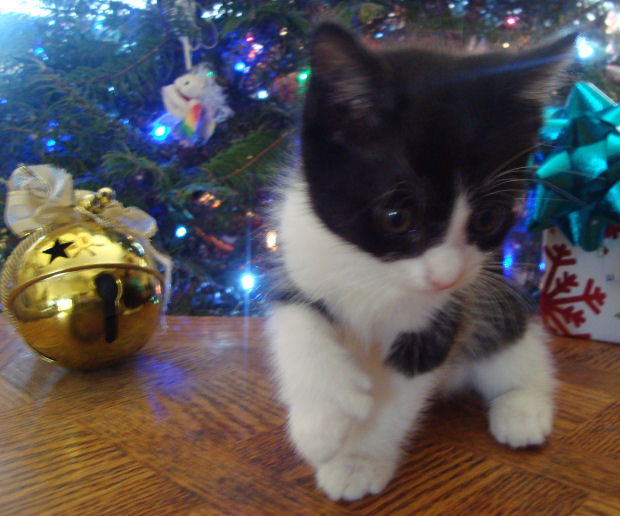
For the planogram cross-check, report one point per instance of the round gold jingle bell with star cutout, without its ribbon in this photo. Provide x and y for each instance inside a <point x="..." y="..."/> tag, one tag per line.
<point x="86" y="296"/>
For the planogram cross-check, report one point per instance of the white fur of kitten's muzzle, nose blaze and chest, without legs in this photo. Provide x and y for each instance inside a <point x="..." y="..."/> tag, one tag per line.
<point x="376" y="300"/>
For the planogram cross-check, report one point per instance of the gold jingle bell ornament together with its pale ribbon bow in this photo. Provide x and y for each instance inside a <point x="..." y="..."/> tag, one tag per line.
<point x="83" y="287"/>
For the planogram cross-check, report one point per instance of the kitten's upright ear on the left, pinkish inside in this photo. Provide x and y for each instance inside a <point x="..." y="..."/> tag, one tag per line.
<point x="349" y="75"/>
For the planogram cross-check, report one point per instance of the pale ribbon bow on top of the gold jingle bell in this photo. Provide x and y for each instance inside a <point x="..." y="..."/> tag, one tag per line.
<point x="40" y="195"/>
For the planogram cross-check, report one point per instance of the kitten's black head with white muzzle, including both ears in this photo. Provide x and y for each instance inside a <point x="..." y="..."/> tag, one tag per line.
<point x="416" y="155"/>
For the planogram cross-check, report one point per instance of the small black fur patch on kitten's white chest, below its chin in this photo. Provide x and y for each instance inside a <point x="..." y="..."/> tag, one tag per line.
<point x="419" y="352"/>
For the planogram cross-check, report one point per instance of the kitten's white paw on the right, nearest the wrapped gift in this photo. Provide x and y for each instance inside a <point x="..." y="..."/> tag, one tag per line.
<point x="521" y="417"/>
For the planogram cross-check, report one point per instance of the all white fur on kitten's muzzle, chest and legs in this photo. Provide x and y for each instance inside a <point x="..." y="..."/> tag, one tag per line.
<point x="349" y="414"/>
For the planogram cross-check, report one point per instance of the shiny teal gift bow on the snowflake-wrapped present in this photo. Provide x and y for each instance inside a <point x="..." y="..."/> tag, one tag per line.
<point x="579" y="182"/>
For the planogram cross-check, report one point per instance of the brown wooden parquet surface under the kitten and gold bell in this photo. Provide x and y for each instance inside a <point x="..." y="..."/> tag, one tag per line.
<point x="190" y="426"/>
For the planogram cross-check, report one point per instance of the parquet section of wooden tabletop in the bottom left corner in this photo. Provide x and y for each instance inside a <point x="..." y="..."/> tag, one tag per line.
<point x="60" y="468"/>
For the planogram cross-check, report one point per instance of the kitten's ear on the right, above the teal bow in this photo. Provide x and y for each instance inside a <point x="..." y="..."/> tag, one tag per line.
<point x="541" y="69"/>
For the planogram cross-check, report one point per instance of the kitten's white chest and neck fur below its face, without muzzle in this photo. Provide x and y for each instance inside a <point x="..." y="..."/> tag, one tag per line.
<point x="373" y="299"/>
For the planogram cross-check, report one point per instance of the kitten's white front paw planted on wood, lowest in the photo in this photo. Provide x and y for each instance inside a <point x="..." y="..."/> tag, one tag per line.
<point x="351" y="477"/>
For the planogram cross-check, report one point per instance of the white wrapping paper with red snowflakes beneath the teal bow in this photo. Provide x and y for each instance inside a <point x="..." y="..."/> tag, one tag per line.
<point x="580" y="290"/>
